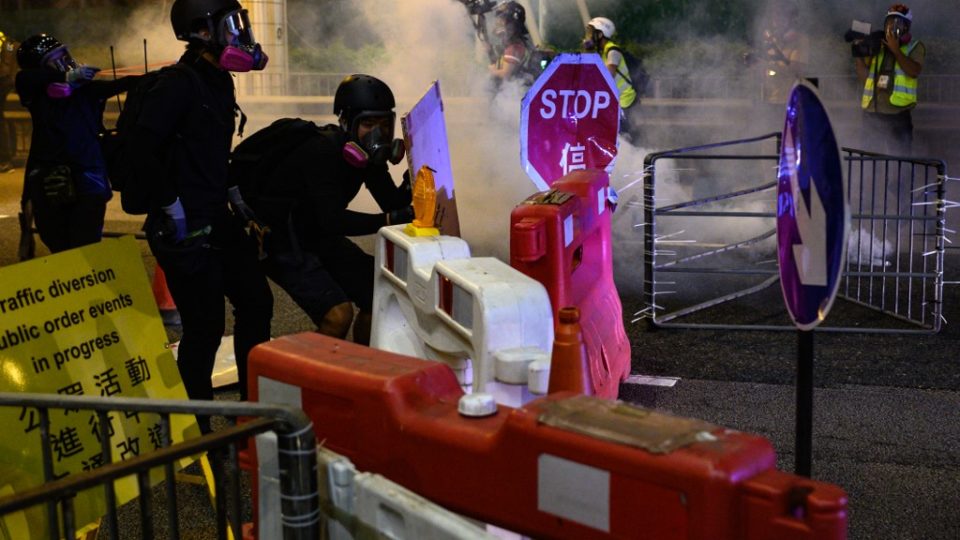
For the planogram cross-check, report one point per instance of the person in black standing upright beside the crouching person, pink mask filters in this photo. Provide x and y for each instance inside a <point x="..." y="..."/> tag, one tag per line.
<point x="180" y="149"/>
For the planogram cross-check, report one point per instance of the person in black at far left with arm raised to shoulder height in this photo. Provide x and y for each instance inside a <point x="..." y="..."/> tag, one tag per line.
<point x="65" y="181"/>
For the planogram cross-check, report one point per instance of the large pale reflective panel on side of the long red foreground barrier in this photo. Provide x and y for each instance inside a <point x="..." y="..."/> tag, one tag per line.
<point x="574" y="491"/>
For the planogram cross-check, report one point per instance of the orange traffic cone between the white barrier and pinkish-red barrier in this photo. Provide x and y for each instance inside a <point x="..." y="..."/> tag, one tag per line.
<point x="569" y="370"/>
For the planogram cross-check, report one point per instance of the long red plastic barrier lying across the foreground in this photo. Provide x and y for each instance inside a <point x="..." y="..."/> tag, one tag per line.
<point x="564" y="466"/>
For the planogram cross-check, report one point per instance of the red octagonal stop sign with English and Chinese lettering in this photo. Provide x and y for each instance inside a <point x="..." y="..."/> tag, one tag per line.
<point x="569" y="119"/>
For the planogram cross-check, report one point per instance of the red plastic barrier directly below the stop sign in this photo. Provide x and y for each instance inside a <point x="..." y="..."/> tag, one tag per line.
<point x="561" y="238"/>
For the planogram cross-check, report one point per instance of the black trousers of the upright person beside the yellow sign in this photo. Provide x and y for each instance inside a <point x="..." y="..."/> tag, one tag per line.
<point x="200" y="273"/>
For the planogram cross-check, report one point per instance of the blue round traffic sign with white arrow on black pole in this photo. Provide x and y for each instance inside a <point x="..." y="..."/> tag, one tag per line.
<point x="813" y="217"/>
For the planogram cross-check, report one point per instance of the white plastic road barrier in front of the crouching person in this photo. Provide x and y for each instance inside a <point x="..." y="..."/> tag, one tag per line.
<point x="486" y="320"/>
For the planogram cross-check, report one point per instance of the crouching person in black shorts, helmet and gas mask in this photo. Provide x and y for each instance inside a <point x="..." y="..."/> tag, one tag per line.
<point x="300" y="178"/>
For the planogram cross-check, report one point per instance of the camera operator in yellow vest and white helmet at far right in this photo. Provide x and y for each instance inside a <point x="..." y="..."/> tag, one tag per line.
<point x="890" y="76"/>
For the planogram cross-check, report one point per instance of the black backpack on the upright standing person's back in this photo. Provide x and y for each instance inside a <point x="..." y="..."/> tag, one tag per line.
<point x="134" y="195"/>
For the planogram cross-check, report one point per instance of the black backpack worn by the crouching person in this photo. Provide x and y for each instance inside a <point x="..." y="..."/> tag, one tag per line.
<point x="254" y="160"/>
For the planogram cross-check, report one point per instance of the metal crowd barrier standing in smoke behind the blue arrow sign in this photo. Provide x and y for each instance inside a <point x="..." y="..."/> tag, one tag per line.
<point x="894" y="262"/>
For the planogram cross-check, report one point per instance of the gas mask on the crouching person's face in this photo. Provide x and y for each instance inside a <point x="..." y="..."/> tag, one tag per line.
<point x="377" y="145"/>
